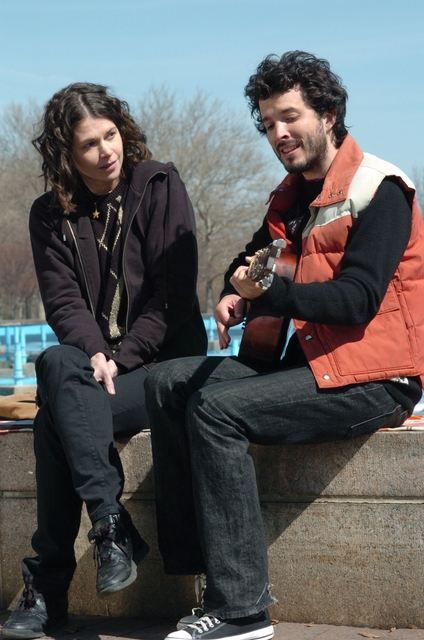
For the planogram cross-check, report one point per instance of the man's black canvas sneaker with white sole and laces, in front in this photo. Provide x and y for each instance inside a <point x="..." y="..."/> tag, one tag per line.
<point x="251" y="628"/>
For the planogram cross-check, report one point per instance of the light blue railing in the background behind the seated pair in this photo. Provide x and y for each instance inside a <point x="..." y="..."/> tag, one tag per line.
<point x="20" y="341"/>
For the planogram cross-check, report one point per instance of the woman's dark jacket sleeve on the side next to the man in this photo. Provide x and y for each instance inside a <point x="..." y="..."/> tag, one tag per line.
<point x="170" y="248"/>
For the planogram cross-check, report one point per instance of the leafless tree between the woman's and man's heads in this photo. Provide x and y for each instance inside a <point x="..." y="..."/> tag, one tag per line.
<point x="218" y="155"/>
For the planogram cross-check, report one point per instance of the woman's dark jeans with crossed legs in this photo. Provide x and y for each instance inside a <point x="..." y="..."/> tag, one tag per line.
<point x="76" y="457"/>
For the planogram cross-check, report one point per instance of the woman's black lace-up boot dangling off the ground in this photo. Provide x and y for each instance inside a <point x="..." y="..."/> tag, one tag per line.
<point x="117" y="558"/>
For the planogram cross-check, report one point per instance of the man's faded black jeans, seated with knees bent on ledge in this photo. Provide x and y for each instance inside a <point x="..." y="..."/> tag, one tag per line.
<point x="204" y="412"/>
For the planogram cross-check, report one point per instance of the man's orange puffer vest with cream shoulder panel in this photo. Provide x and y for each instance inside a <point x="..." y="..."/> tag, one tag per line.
<point x="392" y="343"/>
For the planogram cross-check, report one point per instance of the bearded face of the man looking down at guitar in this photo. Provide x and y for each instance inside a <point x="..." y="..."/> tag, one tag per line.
<point x="300" y="137"/>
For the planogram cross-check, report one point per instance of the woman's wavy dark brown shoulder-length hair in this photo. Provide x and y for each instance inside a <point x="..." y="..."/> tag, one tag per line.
<point x="61" y="114"/>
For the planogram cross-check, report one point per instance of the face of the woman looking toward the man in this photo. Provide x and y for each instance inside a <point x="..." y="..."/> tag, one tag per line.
<point x="98" y="153"/>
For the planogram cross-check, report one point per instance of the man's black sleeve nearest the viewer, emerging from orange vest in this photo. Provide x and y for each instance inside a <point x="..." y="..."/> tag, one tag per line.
<point x="376" y="244"/>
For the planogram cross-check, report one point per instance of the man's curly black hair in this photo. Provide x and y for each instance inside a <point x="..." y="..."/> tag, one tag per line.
<point x="321" y="88"/>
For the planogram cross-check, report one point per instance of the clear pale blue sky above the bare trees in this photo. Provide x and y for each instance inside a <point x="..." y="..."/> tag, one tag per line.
<point x="376" y="46"/>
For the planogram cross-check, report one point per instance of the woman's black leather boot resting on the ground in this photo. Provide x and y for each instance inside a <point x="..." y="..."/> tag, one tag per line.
<point x="31" y="618"/>
